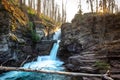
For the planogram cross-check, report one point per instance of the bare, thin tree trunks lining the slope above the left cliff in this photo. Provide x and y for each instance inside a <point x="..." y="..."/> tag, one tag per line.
<point x="47" y="7"/>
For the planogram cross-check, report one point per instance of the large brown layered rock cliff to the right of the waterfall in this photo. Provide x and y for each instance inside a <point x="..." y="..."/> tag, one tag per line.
<point x="91" y="41"/>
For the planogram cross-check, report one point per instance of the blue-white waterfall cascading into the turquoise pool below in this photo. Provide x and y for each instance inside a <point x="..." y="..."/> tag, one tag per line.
<point x="48" y="62"/>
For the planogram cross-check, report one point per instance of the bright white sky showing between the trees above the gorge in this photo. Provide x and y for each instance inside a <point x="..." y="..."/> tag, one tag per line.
<point x="72" y="7"/>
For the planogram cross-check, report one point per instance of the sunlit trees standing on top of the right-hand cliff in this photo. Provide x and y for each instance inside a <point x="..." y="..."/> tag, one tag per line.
<point x="106" y="6"/>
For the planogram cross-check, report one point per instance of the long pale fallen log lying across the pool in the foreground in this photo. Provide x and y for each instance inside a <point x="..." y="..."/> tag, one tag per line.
<point x="50" y="72"/>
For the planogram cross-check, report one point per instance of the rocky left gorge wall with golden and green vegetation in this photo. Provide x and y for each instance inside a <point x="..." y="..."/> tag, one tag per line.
<point x="18" y="41"/>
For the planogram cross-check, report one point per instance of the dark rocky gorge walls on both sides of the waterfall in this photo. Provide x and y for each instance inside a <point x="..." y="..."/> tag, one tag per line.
<point x="89" y="44"/>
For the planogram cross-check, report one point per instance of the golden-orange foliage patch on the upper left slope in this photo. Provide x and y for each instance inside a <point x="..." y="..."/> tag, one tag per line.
<point x="17" y="14"/>
